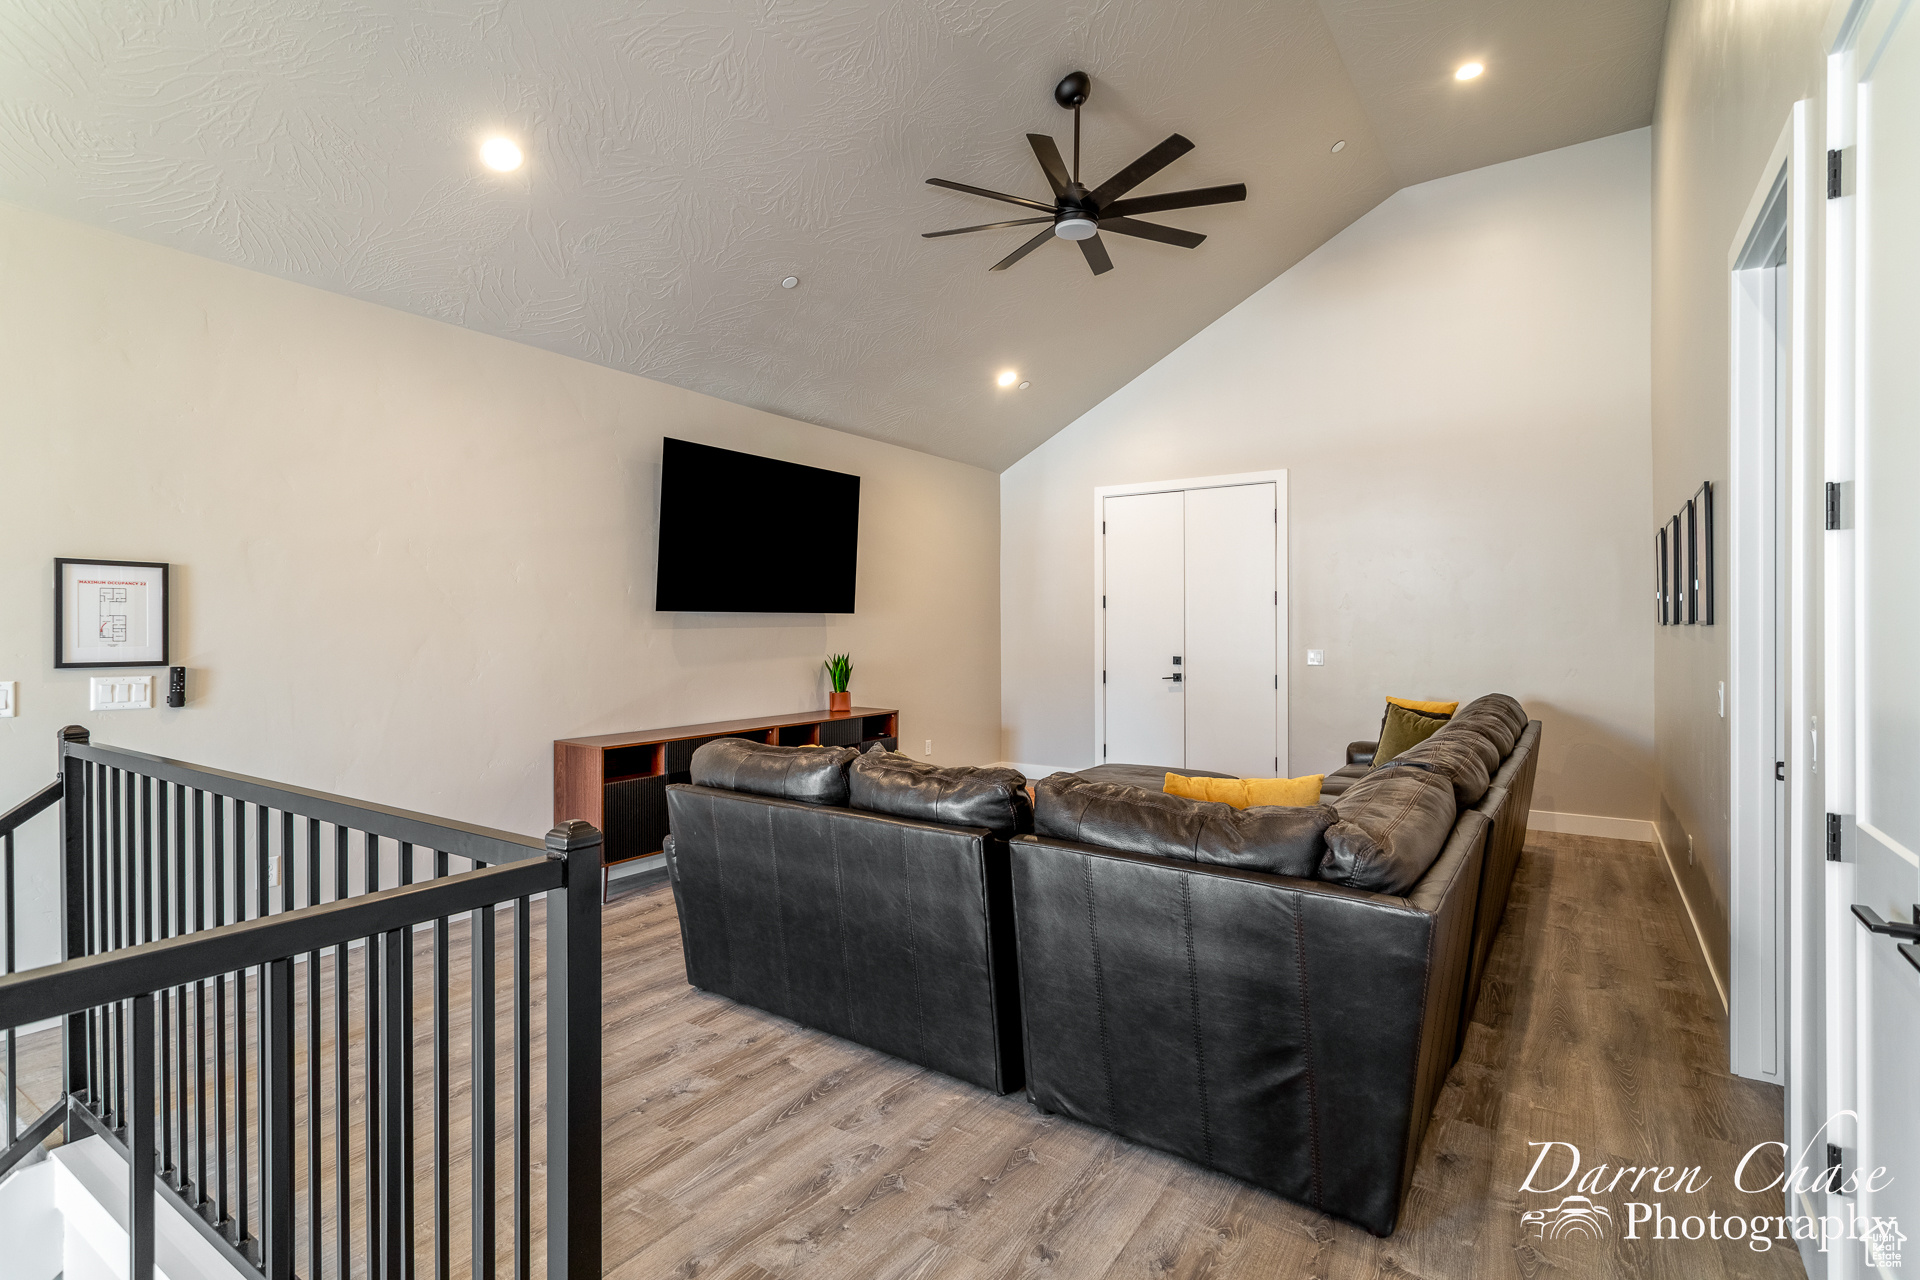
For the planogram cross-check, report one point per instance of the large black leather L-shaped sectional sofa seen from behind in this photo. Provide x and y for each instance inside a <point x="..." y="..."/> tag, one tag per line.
<point x="1270" y="993"/>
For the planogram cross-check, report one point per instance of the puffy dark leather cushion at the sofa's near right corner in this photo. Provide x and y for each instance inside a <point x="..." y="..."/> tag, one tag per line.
<point x="1391" y="828"/>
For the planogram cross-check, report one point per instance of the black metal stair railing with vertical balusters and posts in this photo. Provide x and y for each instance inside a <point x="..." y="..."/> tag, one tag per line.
<point x="231" y="939"/>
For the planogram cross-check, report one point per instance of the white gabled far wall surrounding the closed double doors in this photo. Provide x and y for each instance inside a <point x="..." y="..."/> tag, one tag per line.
<point x="1460" y="389"/>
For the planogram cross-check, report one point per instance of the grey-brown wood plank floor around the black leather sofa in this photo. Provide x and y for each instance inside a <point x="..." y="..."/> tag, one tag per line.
<point x="742" y="1147"/>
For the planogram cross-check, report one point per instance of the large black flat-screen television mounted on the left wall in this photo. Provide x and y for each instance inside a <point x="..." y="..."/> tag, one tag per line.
<point x="742" y="534"/>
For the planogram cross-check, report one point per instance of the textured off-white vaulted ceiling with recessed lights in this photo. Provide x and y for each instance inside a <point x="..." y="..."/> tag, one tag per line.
<point x="683" y="158"/>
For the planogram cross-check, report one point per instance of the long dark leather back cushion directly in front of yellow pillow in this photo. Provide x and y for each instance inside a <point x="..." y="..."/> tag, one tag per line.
<point x="1285" y="841"/>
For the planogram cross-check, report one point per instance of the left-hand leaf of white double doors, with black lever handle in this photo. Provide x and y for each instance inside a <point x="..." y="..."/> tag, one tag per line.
<point x="1145" y="630"/>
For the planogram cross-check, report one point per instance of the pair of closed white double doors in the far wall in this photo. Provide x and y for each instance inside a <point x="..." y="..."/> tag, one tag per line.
<point x="1191" y="627"/>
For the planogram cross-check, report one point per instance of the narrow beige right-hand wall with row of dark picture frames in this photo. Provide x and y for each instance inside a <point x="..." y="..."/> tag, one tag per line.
<point x="1731" y="78"/>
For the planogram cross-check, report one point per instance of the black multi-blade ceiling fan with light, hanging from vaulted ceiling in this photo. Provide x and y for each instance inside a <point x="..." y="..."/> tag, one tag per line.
<point x="1080" y="214"/>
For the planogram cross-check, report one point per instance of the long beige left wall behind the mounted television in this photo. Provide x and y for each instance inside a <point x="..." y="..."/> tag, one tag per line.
<point x="408" y="556"/>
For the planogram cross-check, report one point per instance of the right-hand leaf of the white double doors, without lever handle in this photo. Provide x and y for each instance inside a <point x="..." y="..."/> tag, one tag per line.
<point x="1232" y="630"/>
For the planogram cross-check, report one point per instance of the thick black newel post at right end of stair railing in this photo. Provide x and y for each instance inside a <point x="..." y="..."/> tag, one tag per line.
<point x="575" y="1056"/>
